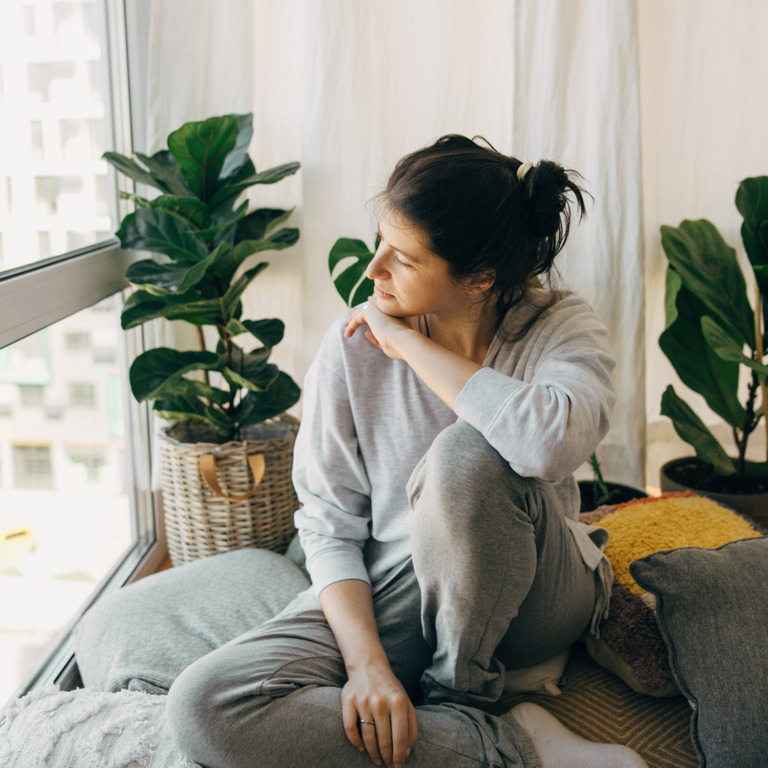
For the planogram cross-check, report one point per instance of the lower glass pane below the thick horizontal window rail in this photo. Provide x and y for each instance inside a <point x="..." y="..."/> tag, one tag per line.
<point x="65" y="516"/>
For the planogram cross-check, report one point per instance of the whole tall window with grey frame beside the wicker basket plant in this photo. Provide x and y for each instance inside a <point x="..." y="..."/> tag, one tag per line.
<point x="74" y="456"/>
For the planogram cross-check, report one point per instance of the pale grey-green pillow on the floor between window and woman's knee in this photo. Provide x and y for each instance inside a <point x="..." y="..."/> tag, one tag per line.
<point x="143" y="636"/>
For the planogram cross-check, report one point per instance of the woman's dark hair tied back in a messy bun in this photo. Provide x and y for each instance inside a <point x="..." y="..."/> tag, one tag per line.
<point x="480" y="218"/>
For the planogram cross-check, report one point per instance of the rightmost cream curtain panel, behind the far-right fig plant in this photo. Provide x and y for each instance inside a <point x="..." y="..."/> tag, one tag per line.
<point x="702" y="74"/>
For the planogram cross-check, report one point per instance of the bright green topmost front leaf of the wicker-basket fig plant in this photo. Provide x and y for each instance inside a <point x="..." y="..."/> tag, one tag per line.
<point x="200" y="149"/>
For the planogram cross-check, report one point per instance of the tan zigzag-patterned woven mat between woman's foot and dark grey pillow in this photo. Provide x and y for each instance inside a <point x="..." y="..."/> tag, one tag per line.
<point x="599" y="706"/>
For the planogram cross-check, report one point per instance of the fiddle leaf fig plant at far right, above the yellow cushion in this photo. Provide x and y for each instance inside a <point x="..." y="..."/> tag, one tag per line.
<point x="714" y="335"/>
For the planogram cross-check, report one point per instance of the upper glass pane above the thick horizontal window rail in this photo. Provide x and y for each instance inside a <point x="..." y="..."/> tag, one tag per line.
<point x="53" y="112"/>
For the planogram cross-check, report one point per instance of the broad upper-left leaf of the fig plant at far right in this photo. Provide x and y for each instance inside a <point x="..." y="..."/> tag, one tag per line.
<point x="708" y="267"/>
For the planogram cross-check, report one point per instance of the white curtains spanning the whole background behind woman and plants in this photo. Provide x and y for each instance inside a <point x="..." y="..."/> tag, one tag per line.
<point x="349" y="86"/>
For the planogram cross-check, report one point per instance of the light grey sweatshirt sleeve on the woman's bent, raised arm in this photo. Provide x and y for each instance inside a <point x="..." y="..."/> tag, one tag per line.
<point x="550" y="413"/>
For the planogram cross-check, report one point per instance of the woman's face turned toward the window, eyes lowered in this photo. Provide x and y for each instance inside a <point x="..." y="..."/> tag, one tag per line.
<point x="409" y="279"/>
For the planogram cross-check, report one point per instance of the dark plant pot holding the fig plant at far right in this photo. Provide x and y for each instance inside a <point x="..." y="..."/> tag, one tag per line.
<point x="692" y="474"/>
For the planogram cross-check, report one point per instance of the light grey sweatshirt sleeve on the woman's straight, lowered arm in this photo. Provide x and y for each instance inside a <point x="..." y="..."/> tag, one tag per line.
<point x="329" y="476"/>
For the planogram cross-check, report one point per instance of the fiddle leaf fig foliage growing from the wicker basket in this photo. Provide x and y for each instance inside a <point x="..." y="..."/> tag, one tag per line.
<point x="199" y="238"/>
